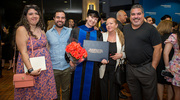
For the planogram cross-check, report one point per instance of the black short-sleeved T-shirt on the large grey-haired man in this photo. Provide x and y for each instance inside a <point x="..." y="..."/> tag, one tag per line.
<point x="139" y="42"/>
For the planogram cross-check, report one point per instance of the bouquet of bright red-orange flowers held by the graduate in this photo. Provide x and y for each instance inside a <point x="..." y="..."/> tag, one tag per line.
<point x="75" y="52"/>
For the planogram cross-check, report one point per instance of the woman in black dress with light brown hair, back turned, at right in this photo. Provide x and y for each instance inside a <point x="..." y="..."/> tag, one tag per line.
<point x="165" y="29"/>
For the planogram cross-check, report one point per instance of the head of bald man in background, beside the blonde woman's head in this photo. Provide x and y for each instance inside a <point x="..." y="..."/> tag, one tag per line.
<point x="121" y="19"/>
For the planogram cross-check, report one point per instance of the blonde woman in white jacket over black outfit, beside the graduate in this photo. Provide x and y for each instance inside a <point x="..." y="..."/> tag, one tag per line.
<point x="110" y="90"/>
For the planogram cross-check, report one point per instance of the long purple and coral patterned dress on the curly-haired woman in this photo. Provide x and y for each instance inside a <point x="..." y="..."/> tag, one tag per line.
<point x="45" y="87"/>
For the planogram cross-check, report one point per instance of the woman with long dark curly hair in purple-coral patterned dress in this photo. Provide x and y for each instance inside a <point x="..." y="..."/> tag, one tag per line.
<point x="30" y="33"/>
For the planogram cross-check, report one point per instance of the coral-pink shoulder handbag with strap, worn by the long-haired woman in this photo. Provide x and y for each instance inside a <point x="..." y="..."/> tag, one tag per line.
<point x="22" y="80"/>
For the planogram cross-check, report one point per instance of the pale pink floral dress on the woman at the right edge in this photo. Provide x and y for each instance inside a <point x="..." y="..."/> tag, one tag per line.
<point x="175" y="62"/>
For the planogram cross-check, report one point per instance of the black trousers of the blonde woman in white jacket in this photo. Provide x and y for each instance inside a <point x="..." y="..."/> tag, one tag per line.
<point x="109" y="89"/>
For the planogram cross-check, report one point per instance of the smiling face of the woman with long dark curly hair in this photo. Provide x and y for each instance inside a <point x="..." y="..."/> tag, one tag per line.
<point x="32" y="17"/>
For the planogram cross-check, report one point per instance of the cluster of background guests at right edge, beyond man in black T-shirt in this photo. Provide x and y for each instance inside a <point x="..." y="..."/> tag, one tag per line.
<point x="167" y="30"/>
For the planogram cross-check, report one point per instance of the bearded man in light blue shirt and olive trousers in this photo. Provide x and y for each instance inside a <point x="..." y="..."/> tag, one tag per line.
<point x="57" y="38"/>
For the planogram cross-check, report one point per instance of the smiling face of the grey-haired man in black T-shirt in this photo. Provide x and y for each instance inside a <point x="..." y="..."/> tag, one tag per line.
<point x="136" y="17"/>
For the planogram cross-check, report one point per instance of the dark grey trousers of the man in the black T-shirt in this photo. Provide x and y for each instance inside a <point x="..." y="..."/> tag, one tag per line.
<point x="142" y="81"/>
